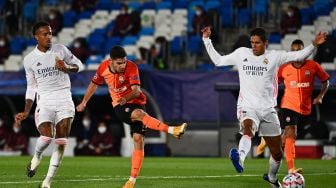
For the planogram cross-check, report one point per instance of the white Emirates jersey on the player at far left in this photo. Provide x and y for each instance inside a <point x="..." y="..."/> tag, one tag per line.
<point x="44" y="79"/>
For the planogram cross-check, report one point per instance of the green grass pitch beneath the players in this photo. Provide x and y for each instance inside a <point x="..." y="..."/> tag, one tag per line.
<point x="170" y="172"/>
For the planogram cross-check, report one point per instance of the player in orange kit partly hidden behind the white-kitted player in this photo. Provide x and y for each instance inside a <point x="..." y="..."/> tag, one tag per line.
<point x="298" y="78"/>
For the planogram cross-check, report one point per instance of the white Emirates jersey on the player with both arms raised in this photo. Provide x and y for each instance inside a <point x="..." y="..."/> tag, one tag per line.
<point x="257" y="74"/>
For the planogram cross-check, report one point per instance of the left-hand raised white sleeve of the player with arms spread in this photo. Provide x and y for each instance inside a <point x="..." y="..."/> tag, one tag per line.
<point x="216" y="58"/>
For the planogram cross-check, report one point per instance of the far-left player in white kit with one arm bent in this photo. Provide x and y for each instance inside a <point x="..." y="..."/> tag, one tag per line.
<point x="47" y="68"/>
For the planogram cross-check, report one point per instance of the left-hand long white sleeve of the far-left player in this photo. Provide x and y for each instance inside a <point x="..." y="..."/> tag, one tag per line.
<point x="31" y="82"/>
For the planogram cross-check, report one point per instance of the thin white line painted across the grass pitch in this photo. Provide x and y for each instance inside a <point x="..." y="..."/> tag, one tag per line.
<point x="155" y="177"/>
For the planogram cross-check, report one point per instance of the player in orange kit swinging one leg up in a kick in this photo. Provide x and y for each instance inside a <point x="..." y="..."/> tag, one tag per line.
<point x="128" y="101"/>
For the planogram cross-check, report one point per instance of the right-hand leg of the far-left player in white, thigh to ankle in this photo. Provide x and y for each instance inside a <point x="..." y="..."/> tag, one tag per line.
<point x="61" y="137"/>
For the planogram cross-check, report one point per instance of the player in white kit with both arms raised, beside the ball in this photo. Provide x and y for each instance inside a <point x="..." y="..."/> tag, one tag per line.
<point x="257" y="69"/>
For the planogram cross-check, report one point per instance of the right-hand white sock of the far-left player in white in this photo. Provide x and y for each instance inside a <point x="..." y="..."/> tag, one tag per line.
<point x="56" y="158"/>
